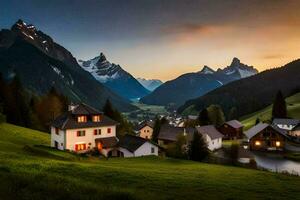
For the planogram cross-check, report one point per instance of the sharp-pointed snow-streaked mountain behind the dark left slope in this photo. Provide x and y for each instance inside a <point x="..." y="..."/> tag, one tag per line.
<point x="114" y="77"/>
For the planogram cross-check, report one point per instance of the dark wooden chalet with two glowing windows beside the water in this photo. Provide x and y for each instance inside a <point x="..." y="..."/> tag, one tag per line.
<point x="266" y="137"/>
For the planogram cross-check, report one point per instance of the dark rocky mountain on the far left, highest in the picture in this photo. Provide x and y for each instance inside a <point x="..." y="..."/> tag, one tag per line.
<point x="41" y="63"/>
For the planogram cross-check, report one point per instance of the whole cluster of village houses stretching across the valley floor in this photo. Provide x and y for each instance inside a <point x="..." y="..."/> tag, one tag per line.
<point x="84" y="129"/>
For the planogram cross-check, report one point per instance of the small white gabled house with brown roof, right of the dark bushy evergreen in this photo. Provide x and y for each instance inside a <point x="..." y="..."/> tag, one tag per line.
<point x="212" y="136"/>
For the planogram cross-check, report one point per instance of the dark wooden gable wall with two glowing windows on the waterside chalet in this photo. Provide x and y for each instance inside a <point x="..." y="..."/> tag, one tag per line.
<point x="267" y="139"/>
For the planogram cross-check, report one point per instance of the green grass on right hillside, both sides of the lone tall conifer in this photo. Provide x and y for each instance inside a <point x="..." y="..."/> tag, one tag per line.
<point x="293" y="106"/>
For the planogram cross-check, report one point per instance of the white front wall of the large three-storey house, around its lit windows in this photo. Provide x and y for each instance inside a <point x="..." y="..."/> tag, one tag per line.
<point x="89" y="139"/>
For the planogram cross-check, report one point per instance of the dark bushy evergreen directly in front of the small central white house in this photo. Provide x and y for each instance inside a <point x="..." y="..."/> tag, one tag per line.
<point x="198" y="148"/>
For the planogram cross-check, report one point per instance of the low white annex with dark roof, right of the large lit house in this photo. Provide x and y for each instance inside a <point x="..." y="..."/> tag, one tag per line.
<point x="133" y="146"/>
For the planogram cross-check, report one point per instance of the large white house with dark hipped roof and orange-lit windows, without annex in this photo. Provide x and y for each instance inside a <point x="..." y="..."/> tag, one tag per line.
<point x="81" y="129"/>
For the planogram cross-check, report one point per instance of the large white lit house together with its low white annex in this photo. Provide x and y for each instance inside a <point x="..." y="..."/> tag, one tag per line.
<point x="84" y="128"/>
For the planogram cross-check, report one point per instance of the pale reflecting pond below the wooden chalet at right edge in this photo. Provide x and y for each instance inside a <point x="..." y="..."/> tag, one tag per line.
<point x="276" y="163"/>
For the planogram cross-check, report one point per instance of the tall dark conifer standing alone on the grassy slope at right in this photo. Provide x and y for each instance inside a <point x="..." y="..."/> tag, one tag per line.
<point x="279" y="109"/>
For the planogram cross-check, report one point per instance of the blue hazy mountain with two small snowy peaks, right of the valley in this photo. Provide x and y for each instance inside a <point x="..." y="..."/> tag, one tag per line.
<point x="192" y="85"/>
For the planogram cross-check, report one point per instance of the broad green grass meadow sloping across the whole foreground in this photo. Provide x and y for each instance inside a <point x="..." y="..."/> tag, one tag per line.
<point x="31" y="171"/>
